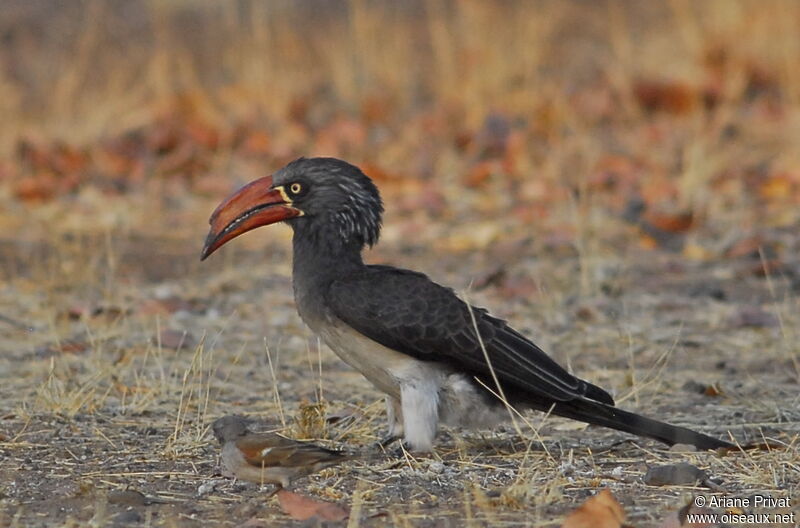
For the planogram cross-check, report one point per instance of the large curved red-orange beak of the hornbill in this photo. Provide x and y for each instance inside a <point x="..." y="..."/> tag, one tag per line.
<point x="254" y="205"/>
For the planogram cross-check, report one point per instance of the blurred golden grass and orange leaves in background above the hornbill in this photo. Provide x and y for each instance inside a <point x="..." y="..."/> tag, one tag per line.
<point x="690" y="107"/>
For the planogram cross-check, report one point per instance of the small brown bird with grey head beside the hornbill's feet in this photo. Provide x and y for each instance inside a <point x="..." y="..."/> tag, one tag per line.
<point x="268" y="458"/>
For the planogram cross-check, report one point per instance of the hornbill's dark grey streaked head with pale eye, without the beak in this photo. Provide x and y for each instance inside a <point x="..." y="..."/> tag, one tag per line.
<point x="335" y="197"/>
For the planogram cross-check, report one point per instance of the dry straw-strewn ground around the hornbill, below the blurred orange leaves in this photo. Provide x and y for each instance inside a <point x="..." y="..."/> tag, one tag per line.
<point x="119" y="350"/>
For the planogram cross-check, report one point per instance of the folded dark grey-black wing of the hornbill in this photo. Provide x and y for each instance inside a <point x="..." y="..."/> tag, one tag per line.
<point x="408" y="312"/>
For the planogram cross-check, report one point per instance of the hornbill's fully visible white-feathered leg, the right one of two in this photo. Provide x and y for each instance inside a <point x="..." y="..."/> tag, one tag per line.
<point x="420" y="405"/>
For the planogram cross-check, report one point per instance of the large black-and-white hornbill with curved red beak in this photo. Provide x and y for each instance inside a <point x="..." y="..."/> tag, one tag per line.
<point x="436" y="358"/>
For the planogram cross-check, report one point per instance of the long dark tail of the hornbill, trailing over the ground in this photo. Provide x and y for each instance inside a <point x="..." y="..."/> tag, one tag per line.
<point x="597" y="413"/>
